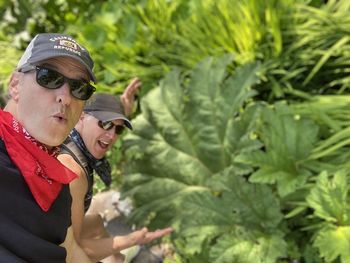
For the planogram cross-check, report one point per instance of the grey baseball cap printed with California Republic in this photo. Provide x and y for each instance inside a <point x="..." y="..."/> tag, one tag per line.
<point x="49" y="45"/>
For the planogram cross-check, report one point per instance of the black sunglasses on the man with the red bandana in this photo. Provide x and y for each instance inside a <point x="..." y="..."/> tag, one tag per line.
<point x="51" y="79"/>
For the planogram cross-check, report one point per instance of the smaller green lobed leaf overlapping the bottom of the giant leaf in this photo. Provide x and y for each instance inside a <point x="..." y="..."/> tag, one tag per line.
<point x="236" y="208"/>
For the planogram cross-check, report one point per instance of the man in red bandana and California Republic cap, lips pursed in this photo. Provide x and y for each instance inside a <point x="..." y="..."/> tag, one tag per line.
<point x="48" y="92"/>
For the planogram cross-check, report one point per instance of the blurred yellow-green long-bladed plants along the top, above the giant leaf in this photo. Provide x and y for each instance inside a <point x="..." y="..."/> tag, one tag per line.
<point x="148" y="38"/>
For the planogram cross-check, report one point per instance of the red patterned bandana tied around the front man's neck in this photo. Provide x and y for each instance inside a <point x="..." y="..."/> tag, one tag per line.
<point x="43" y="173"/>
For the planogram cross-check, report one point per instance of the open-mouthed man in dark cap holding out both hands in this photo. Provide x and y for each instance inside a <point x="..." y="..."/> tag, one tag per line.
<point x="102" y="121"/>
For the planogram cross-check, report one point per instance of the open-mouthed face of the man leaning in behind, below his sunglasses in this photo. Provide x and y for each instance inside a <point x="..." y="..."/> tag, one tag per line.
<point x="97" y="140"/>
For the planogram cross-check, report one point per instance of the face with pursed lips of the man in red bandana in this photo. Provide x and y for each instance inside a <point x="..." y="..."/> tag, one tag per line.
<point x="49" y="114"/>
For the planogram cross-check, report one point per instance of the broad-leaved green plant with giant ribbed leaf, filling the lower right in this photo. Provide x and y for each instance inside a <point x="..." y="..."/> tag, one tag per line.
<point x="241" y="181"/>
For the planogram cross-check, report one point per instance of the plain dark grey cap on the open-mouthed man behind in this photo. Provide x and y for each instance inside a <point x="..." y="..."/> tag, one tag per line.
<point x="106" y="107"/>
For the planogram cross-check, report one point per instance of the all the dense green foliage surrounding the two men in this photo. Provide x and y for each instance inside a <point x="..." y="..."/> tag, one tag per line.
<point x="242" y="139"/>
